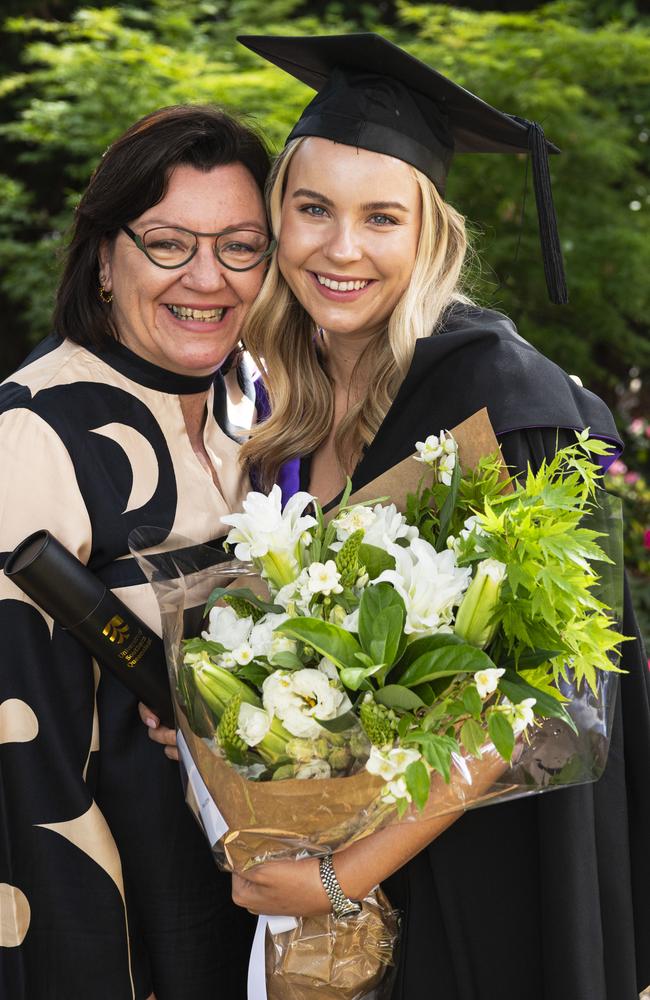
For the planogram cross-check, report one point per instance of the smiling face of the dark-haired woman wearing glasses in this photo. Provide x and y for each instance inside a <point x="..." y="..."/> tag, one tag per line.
<point x="186" y="320"/>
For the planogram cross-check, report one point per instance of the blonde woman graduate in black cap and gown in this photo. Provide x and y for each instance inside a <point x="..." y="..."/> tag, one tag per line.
<point x="370" y="344"/>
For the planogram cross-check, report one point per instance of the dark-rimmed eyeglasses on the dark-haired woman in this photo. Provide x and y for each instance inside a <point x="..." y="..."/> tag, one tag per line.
<point x="172" y="246"/>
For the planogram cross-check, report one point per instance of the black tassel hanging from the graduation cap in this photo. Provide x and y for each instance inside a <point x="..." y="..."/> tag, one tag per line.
<point x="548" y="231"/>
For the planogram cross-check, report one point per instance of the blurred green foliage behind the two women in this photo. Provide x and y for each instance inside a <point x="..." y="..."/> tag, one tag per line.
<point x="73" y="77"/>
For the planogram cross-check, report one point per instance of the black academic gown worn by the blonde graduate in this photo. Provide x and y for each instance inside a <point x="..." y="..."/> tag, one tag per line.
<point x="547" y="897"/>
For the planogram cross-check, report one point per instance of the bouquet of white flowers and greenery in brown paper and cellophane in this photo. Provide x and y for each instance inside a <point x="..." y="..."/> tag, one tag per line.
<point x="445" y="639"/>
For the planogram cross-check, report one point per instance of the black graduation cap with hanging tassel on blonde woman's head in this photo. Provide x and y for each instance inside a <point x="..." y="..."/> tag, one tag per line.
<point x="373" y="95"/>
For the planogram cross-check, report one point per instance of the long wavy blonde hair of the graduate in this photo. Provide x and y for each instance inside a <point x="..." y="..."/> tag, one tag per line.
<point x="281" y="337"/>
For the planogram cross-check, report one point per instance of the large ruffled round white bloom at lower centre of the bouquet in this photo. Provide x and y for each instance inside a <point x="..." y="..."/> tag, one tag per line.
<point x="301" y="697"/>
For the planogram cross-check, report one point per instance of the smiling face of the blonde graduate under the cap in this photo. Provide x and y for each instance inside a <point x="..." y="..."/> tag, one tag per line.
<point x="349" y="233"/>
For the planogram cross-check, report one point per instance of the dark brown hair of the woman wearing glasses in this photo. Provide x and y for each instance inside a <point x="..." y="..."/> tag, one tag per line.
<point x="133" y="176"/>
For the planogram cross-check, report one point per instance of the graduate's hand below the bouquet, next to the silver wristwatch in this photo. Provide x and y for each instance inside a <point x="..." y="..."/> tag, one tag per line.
<point x="291" y="888"/>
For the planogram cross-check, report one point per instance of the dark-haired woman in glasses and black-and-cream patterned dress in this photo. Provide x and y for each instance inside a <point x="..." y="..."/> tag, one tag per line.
<point x="107" y="889"/>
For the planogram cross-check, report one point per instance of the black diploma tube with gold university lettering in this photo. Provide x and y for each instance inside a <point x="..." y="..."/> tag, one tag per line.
<point x="80" y="603"/>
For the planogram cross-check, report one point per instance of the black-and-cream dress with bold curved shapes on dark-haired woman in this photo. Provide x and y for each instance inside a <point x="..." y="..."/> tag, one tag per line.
<point x="108" y="889"/>
